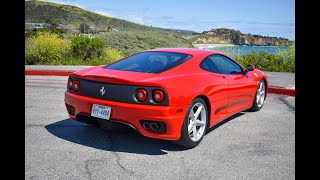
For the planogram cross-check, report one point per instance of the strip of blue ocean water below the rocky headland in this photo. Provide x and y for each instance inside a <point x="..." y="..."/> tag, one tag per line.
<point x="239" y="50"/>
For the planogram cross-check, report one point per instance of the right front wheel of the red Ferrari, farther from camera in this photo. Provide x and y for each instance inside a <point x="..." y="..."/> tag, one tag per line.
<point x="259" y="96"/>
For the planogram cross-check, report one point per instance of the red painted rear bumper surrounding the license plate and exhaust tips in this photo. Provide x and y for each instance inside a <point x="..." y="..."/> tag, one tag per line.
<point x="132" y="114"/>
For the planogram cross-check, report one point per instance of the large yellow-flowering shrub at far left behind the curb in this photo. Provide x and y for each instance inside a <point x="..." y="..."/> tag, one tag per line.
<point x="45" y="48"/>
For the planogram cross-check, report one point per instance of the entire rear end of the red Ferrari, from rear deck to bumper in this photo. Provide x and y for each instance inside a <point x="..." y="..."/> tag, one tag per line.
<point x="106" y="95"/>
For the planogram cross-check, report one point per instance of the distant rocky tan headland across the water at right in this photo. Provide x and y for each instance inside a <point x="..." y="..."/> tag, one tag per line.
<point x="231" y="36"/>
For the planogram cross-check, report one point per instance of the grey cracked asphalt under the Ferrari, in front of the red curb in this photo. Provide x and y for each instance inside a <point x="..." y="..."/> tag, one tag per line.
<point x="250" y="145"/>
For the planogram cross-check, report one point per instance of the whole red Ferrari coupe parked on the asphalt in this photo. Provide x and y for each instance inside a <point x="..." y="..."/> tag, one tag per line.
<point x="168" y="93"/>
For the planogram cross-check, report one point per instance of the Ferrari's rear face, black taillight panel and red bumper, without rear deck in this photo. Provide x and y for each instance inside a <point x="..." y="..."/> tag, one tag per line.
<point x="144" y="108"/>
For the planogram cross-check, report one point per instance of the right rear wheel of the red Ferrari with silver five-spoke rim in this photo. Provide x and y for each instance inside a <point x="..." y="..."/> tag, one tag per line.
<point x="197" y="125"/>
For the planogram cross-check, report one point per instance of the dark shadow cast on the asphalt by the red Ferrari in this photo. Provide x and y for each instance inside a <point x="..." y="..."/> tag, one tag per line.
<point x="121" y="138"/>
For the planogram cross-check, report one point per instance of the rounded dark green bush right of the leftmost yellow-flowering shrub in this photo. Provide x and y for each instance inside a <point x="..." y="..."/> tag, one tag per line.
<point x="85" y="48"/>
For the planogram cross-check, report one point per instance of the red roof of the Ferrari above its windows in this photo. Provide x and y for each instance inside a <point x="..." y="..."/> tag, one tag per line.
<point x="191" y="51"/>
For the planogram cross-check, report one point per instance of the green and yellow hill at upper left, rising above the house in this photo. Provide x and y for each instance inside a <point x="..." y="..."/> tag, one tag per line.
<point x="71" y="17"/>
